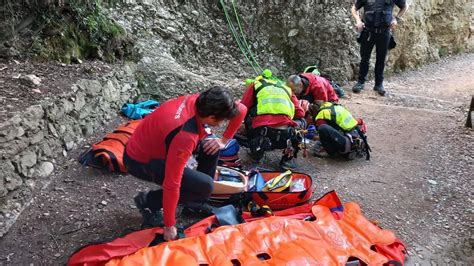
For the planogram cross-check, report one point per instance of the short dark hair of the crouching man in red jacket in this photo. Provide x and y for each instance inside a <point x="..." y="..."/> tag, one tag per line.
<point x="217" y="101"/>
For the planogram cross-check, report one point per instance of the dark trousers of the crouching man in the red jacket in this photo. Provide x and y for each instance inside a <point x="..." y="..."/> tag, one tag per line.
<point x="196" y="185"/>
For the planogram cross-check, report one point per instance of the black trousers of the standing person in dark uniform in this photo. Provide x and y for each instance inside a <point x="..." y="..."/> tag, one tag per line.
<point x="369" y="39"/>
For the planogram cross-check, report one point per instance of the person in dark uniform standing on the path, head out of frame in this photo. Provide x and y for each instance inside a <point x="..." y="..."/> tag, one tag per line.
<point x="375" y="31"/>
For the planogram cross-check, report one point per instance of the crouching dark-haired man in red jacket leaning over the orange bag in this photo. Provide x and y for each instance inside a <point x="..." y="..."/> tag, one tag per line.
<point x="162" y="144"/>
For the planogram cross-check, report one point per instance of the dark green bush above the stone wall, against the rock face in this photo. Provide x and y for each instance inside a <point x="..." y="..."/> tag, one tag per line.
<point x="81" y="30"/>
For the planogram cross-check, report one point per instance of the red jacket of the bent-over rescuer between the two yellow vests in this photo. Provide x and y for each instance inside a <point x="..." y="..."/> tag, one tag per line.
<point x="319" y="88"/>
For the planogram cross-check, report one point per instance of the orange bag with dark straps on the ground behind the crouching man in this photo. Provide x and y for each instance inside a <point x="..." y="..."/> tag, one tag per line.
<point x="108" y="153"/>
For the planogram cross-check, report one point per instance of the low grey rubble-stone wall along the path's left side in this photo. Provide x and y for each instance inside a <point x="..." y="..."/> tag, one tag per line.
<point x="32" y="142"/>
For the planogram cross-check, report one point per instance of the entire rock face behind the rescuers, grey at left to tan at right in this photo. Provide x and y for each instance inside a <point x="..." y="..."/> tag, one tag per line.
<point x="187" y="45"/>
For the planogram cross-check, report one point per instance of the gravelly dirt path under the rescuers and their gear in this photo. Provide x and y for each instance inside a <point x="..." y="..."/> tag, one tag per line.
<point x="418" y="182"/>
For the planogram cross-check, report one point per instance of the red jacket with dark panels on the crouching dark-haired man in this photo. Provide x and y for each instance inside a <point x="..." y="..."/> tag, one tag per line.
<point x="171" y="133"/>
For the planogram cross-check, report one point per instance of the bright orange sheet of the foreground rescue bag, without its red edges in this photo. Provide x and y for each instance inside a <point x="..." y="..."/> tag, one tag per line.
<point x="275" y="241"/>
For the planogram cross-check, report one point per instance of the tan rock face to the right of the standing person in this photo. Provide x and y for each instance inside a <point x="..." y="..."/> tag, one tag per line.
<point x="433" y="29"/>
